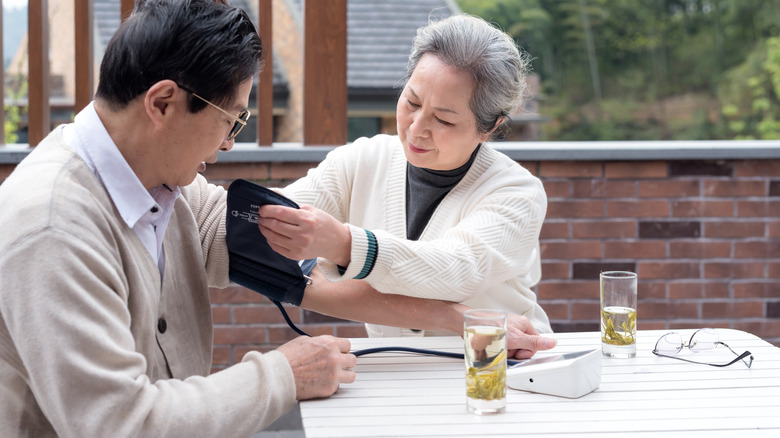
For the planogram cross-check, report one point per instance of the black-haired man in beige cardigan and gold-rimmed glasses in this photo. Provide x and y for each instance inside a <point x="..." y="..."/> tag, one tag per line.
<point x="111" y="240"/>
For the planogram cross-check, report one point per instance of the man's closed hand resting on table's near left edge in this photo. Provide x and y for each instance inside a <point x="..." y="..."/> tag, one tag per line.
<point x="319" y="365"/>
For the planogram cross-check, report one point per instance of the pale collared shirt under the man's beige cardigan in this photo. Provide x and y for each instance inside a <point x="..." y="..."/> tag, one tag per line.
<point x="145" y="211"/>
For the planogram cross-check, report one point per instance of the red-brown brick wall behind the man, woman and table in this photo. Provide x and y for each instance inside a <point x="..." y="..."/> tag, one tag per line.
<point x="704" y="237"/>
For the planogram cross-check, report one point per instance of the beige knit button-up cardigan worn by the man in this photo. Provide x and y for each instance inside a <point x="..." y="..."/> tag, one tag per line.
<point x="81" y="354"/>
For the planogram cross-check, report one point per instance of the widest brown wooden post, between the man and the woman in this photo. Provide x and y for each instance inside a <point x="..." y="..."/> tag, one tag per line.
<point x="325" y="73"/>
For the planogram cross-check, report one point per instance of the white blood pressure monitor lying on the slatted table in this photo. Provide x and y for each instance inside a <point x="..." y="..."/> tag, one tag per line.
<point x="569" y="375"/>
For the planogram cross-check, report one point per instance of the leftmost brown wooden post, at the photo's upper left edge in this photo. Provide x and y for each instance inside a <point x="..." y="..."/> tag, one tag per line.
<point x="39" y="114"/>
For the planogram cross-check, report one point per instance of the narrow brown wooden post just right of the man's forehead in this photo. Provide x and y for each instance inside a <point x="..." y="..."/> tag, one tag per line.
<point x="265" y="86"/>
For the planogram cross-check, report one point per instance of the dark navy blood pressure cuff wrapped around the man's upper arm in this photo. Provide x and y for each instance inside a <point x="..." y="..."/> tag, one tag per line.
<point x="253" y="264"/>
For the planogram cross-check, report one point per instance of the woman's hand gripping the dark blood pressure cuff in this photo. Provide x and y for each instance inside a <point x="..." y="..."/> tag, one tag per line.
<point x="305" y="233"/>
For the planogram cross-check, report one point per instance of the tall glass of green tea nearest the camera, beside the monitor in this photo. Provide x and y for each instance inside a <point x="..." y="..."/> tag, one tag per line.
<point x="485" y="345"/>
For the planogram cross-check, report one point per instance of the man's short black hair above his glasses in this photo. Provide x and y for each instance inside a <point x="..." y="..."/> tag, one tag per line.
<point x="204" y="45"/>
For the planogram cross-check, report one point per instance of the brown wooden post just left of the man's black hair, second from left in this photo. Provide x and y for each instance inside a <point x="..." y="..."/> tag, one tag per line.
<point x="84" y="56"/>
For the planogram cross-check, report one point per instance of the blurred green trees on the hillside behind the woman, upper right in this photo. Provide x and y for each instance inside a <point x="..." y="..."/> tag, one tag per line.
<point x="647" y="53"/>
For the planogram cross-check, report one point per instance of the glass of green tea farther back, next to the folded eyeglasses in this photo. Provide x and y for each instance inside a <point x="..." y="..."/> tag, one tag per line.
<point x="618" y="314"/>
